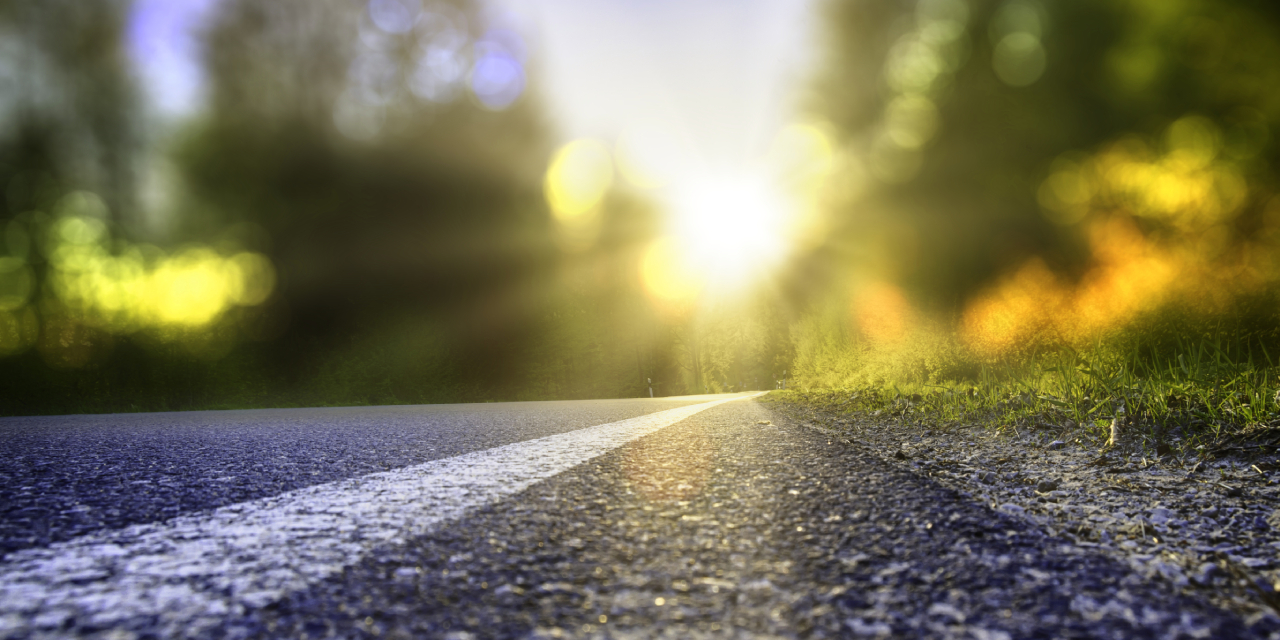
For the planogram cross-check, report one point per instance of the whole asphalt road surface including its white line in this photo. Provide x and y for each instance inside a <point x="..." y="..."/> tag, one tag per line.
<point x="676" y="518"/>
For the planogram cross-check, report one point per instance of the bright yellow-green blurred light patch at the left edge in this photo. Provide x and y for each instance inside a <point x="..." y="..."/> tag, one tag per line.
<point x="98" y="286"/>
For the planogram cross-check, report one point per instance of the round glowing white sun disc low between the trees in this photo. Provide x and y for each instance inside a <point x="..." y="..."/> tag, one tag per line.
<point x="732" y="230"/>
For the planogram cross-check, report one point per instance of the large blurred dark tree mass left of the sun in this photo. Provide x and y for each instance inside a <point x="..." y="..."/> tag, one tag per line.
<point x="391" y="153"/>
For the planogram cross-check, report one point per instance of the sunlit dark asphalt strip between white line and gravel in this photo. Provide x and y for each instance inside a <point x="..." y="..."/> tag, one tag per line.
<point x="744" y="523"/>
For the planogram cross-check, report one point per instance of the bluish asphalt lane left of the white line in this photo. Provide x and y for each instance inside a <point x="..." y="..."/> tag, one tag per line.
<point x="63" y="477"/>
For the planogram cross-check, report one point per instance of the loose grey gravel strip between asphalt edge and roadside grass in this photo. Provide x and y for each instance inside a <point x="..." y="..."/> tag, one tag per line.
<point x="1205" y="528"/>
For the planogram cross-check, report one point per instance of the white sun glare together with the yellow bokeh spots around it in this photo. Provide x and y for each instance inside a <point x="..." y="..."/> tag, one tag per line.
<point x="724" y="232"/>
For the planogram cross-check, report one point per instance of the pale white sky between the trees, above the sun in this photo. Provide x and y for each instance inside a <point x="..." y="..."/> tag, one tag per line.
<point x="721" y="75"/>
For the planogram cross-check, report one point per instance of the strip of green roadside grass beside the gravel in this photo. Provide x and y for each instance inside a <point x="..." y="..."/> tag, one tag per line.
<point x="1201" y="395"/>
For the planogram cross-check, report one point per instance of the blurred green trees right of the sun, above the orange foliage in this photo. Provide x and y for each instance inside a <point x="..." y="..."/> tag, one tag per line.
<point x="953" y="116"/>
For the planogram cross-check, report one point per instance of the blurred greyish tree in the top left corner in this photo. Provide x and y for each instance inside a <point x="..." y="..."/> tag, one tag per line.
<point x="68" y="118"/>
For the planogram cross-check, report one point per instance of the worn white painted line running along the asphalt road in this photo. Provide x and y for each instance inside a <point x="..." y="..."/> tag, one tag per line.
<point x="188" y="574"/>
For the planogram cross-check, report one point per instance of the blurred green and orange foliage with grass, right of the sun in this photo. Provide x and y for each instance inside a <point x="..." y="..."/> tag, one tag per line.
<point x="1052" y="209"/>
